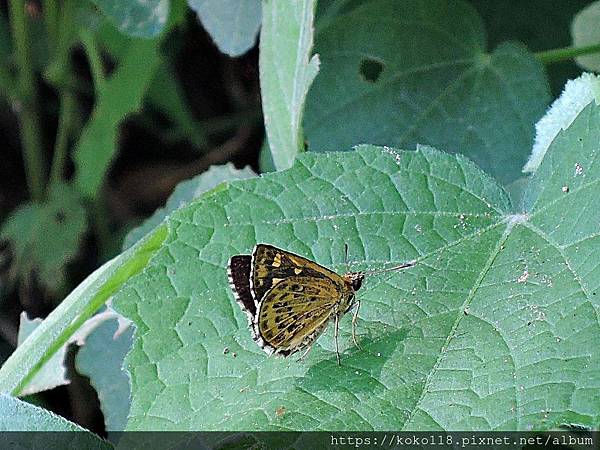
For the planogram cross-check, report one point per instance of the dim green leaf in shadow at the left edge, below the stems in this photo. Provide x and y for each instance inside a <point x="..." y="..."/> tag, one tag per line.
<point x="28" y="229"/>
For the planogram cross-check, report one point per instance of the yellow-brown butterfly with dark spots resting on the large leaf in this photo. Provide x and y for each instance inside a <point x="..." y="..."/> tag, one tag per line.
<point x="289" y="300"/>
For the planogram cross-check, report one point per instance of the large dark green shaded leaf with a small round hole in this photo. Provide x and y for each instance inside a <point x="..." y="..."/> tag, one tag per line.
<point x="402" y="73"/>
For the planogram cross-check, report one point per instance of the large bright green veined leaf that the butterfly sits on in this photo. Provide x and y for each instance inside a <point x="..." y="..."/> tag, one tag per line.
<point x="496" y="327"/>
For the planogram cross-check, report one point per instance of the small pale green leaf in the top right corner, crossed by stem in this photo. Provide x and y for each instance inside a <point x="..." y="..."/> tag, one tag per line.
<point x="585" y="30"/>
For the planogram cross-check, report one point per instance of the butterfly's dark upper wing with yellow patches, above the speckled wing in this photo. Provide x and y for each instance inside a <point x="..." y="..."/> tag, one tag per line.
<point x="271" y="265"/>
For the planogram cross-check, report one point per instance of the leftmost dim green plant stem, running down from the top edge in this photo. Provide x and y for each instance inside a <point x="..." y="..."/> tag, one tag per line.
<point x="27" y="96"/>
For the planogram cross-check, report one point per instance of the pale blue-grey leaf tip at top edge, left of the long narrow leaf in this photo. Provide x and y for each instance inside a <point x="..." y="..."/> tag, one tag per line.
<point x="233" y="24"/>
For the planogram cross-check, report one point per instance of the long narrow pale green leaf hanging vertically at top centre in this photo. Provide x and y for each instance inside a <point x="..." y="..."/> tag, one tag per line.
<point x="286" y="72"/>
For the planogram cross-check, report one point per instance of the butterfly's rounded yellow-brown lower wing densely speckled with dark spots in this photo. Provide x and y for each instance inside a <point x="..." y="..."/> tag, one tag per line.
<point x="294" y="313"/>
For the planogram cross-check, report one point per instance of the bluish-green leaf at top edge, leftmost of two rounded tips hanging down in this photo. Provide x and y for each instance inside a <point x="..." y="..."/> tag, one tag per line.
<point x="141" y="18"/>
